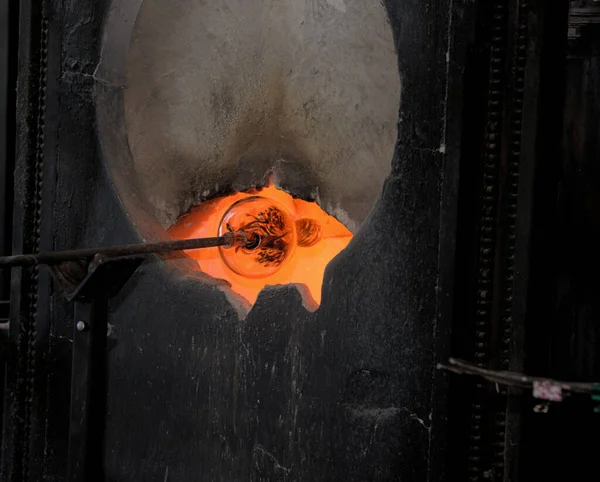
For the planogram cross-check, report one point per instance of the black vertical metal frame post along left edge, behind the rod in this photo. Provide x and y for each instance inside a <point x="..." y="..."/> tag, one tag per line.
<point x="25" y="393"/>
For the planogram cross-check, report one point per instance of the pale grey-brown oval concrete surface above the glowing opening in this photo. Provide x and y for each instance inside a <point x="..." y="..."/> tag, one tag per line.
<point x="219" y="93"/>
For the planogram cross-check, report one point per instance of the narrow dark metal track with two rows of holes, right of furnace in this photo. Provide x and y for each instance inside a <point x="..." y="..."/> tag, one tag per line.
<point x="498" y="201"/>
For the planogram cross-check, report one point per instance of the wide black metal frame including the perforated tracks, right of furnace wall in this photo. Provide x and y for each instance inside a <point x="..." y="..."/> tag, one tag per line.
<point x="511" y="115"/>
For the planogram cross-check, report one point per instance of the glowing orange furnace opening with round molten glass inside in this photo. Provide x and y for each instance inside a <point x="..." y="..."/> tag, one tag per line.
<point x="287" y="241"/>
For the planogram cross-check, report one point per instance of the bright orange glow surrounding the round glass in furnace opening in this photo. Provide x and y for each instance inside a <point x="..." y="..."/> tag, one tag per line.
<point x="307" y="264"/>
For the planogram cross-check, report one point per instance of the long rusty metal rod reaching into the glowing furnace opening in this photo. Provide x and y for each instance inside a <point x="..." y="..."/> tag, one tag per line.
<point x="115" y="251"/>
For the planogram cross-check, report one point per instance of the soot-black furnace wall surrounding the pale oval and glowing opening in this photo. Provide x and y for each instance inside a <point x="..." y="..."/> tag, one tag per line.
<point x="346" y="393"/>
